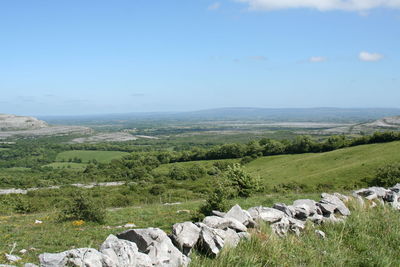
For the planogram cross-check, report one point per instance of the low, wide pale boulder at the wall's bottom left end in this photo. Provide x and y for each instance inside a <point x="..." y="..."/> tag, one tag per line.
<point x="87" y="257"/>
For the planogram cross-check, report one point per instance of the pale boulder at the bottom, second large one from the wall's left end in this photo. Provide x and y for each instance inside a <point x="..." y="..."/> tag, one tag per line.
<point x="124" y="253"/>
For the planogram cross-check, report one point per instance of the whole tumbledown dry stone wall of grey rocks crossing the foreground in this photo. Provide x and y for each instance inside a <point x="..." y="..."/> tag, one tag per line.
<point x="153" y="247"/>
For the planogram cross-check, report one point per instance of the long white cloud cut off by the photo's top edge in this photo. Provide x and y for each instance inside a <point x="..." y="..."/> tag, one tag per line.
<point x="322" y="5"/>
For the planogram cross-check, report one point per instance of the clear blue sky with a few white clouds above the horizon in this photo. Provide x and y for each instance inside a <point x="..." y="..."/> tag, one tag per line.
<point x="72" y="57"/>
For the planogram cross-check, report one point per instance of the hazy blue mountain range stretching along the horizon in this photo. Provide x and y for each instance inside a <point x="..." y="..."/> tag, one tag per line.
<point x="343" y="115"/>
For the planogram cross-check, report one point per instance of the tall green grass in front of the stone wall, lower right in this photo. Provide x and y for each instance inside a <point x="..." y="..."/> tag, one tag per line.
<point x="369" y="237"/>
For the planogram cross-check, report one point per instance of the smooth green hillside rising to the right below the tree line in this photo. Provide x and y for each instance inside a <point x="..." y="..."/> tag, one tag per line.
<point x="339" y="168"/>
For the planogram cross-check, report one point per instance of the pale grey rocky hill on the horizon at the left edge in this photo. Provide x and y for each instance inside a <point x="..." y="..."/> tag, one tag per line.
<point x="13" y="122"/>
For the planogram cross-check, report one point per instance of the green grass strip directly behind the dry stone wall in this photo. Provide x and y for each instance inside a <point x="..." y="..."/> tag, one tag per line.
<point x="52" y="236"/>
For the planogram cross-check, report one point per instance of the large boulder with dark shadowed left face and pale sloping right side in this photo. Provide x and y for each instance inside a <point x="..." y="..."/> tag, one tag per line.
<point x="157" y="245"/>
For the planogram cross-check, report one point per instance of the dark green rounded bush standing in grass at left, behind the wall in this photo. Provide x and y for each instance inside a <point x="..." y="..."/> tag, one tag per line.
<point x="82" y="207"/>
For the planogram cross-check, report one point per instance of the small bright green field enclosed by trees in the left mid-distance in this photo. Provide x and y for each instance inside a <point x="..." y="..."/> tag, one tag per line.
<point x="86" y="156"/>
